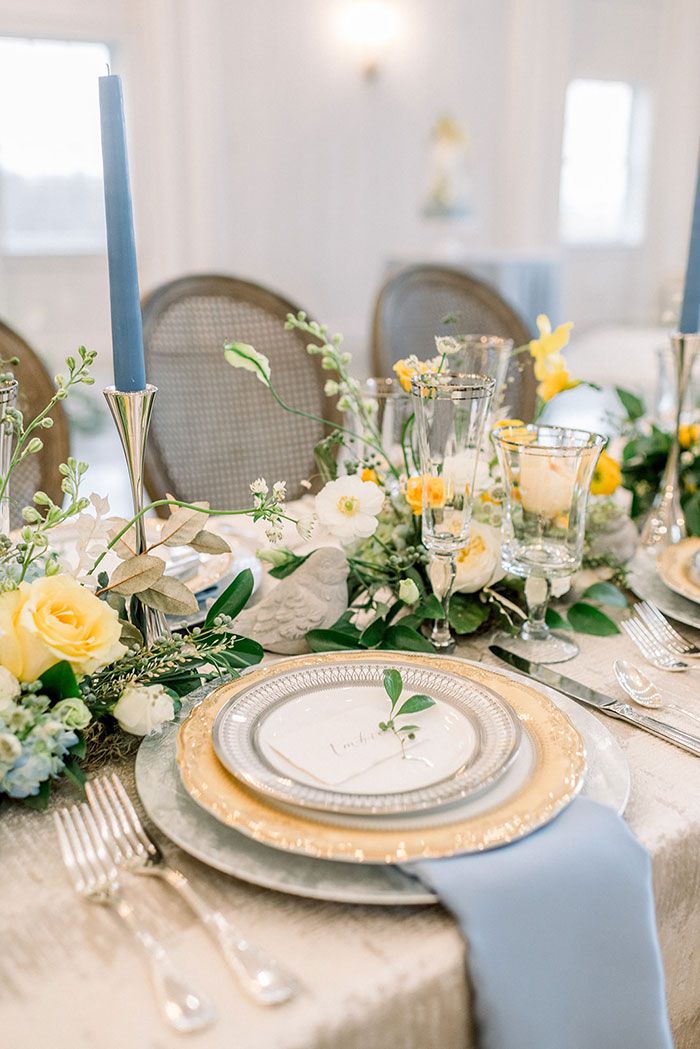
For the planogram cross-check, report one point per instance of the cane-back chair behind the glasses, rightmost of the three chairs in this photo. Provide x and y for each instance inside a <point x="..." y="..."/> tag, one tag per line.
<point x="422" y="302"/>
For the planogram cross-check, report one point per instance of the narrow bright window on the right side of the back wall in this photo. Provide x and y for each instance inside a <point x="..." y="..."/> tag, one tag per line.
<point x="604" y="162"/>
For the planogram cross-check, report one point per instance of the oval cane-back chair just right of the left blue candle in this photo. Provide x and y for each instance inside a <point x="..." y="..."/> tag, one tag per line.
<point x="217" y="429"/>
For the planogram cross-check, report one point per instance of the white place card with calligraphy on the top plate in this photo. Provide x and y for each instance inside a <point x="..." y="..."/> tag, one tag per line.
<point x="342" y="746"/>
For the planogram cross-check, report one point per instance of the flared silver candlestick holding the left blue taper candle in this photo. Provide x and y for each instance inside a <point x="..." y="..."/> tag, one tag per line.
<point x="133" y="418"/>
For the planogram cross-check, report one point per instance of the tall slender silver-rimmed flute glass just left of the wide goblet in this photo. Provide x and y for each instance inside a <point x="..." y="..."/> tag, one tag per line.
<point x="451" y="415"/>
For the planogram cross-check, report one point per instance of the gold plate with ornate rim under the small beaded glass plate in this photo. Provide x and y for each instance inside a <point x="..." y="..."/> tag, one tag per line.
<point x="557" y="779"/>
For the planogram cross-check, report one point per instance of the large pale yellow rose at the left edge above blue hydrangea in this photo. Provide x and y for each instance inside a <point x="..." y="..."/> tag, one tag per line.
<point x="53" y="619"/>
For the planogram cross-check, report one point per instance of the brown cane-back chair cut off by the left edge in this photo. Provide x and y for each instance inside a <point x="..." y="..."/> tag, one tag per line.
<point x="36" y="389"/>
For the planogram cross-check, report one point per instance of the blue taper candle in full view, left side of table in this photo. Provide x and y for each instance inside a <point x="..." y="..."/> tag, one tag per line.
<point x="125" y="304"/>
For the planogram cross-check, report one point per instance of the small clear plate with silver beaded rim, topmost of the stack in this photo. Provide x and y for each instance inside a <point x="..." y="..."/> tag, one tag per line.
<point x="463" y="746"/>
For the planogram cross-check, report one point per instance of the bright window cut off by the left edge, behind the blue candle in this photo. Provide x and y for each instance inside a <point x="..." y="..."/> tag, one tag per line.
<point x="51" y="163"/>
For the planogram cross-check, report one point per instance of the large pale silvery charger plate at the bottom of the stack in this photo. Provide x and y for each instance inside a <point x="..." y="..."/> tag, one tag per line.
<point x="205" y="838"/>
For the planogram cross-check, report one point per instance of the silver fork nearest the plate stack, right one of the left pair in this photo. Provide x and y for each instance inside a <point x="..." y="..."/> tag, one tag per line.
<point x="133" y="848"/>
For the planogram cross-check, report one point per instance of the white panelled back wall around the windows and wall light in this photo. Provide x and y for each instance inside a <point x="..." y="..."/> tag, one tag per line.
<point x="259" y="149"/>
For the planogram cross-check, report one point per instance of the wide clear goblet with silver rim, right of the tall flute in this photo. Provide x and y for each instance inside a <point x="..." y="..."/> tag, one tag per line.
<point x="547" y="474"/>
